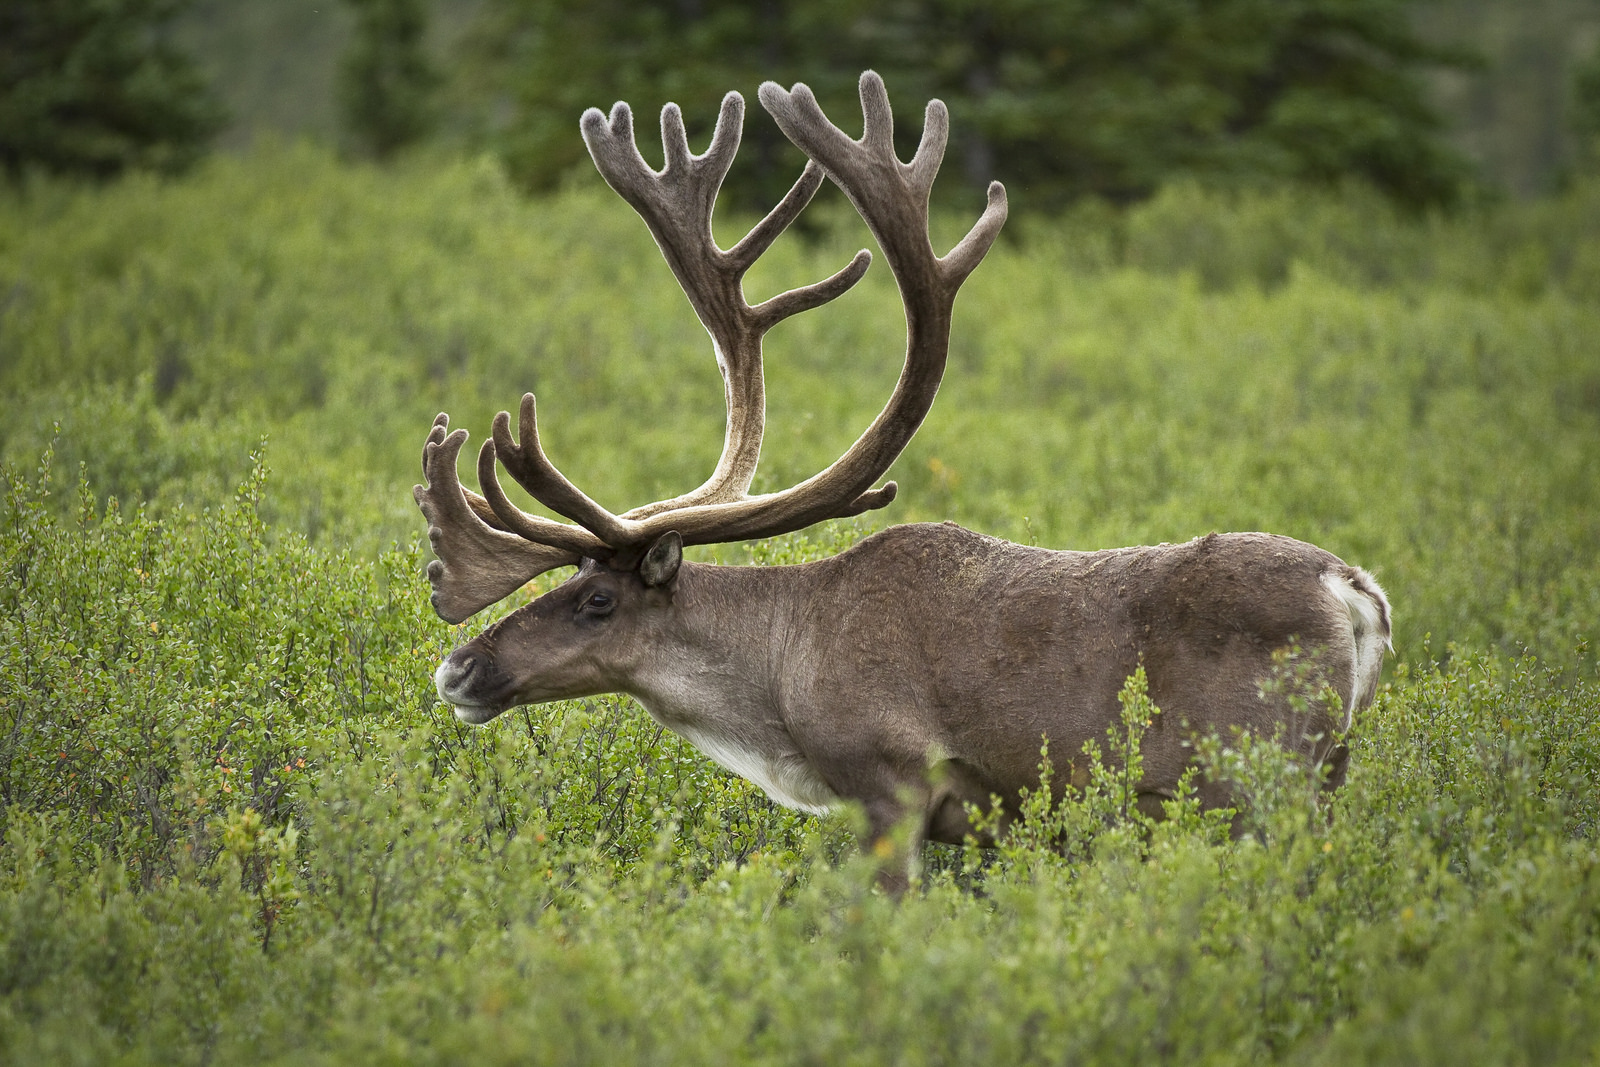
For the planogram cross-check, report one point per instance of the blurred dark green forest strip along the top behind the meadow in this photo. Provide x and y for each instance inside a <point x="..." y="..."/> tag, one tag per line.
<point x="1428" y="102"/>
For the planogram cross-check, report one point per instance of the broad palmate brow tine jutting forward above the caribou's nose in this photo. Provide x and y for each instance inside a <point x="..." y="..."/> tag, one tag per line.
<point x="478" y="565"/>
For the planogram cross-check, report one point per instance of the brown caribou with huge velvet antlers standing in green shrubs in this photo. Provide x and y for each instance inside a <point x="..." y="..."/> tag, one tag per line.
<point x="918" y="673"/>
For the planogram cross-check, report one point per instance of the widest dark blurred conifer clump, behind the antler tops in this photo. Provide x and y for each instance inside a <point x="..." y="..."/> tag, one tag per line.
<point x="1058" y="98"/>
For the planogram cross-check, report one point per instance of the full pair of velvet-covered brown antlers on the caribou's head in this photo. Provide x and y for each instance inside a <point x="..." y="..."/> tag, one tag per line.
<point x="678" y="206"/>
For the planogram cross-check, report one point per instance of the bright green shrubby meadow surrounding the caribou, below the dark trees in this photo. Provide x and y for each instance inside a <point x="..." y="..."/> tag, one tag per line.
<point x="238" y="825"/>
